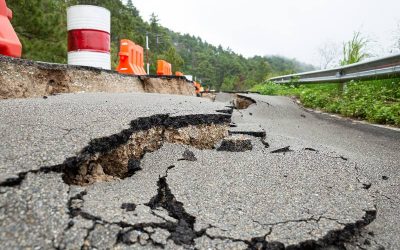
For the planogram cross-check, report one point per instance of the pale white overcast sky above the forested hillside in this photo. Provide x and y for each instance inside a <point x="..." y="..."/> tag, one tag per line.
<point x="292" y="28"/>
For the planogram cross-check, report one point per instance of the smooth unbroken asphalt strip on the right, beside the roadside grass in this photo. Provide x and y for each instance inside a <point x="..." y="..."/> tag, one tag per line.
<point x="375" y="151"/>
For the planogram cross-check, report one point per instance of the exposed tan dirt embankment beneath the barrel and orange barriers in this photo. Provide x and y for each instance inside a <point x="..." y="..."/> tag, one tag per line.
<point x="23" y="79"/>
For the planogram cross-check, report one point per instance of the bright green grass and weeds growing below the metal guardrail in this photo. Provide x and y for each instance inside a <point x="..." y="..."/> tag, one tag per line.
<point x="376" y="101"/>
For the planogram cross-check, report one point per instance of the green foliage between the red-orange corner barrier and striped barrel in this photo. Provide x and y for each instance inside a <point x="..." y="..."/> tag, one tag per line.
<point x="41" y="27"/>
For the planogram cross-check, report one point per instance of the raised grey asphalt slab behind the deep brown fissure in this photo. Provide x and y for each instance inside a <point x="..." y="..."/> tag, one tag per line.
<point x="43" y="132"/>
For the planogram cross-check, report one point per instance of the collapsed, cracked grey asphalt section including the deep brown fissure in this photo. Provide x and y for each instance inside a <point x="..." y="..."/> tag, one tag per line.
<point x="107" y="171"/>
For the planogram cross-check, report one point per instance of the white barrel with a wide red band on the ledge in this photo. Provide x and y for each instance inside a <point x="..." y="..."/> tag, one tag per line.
<point x="89" y="36"/>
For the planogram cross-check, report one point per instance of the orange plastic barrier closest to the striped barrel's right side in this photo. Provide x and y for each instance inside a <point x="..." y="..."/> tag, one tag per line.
<point x="130" y="58"/>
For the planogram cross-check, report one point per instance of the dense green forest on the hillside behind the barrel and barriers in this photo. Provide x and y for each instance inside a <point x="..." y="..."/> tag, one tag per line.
<point x="41" y="26"/>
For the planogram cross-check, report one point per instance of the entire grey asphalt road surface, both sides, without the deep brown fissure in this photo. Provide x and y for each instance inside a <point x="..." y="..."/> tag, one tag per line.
<point x="297" y="187"/>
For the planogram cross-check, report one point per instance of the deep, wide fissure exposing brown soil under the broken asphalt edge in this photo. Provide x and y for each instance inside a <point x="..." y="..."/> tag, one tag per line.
<point x="118" y="156"/>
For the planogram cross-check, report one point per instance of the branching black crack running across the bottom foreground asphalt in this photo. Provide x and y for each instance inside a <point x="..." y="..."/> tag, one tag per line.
<point x="183" y="233"/>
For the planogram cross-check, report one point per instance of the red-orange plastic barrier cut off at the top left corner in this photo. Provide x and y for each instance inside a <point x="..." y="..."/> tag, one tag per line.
<point x="9" y="42"/>
